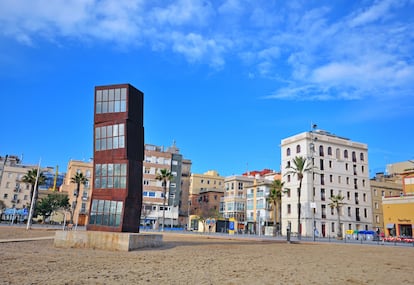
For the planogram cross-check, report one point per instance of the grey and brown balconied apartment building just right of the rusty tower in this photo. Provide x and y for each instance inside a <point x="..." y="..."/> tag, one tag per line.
<point x="155" y="159"/>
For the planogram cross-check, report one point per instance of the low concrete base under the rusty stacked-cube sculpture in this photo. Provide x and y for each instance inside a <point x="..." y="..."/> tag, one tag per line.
<point x="106" y="240"/>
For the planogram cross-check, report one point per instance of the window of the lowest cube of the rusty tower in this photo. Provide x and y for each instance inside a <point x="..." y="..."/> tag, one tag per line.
<point x="106" y="213"/>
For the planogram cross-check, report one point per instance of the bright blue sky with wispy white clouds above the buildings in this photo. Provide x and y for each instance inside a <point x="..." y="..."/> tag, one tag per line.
<point x="227" y="80"/>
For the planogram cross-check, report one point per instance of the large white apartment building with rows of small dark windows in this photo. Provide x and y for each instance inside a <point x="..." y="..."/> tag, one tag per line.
<point x="339" y="166"/>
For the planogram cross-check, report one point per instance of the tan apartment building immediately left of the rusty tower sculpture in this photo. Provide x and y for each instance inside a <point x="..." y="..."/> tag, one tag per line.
<point x="80" y="215"/>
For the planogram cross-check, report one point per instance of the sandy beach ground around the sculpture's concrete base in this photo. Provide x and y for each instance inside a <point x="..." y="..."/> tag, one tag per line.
<point x="190" y="259"/>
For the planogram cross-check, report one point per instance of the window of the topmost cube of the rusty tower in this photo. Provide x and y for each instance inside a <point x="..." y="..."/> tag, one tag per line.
<point x="110" y="100"/>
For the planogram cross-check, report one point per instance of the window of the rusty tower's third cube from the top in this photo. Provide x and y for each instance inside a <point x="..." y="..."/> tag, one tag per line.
<point x="110" y="175"/>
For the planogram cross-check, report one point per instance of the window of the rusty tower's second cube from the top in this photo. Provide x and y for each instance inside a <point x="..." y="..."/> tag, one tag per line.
<point x="110" y="137"/>
